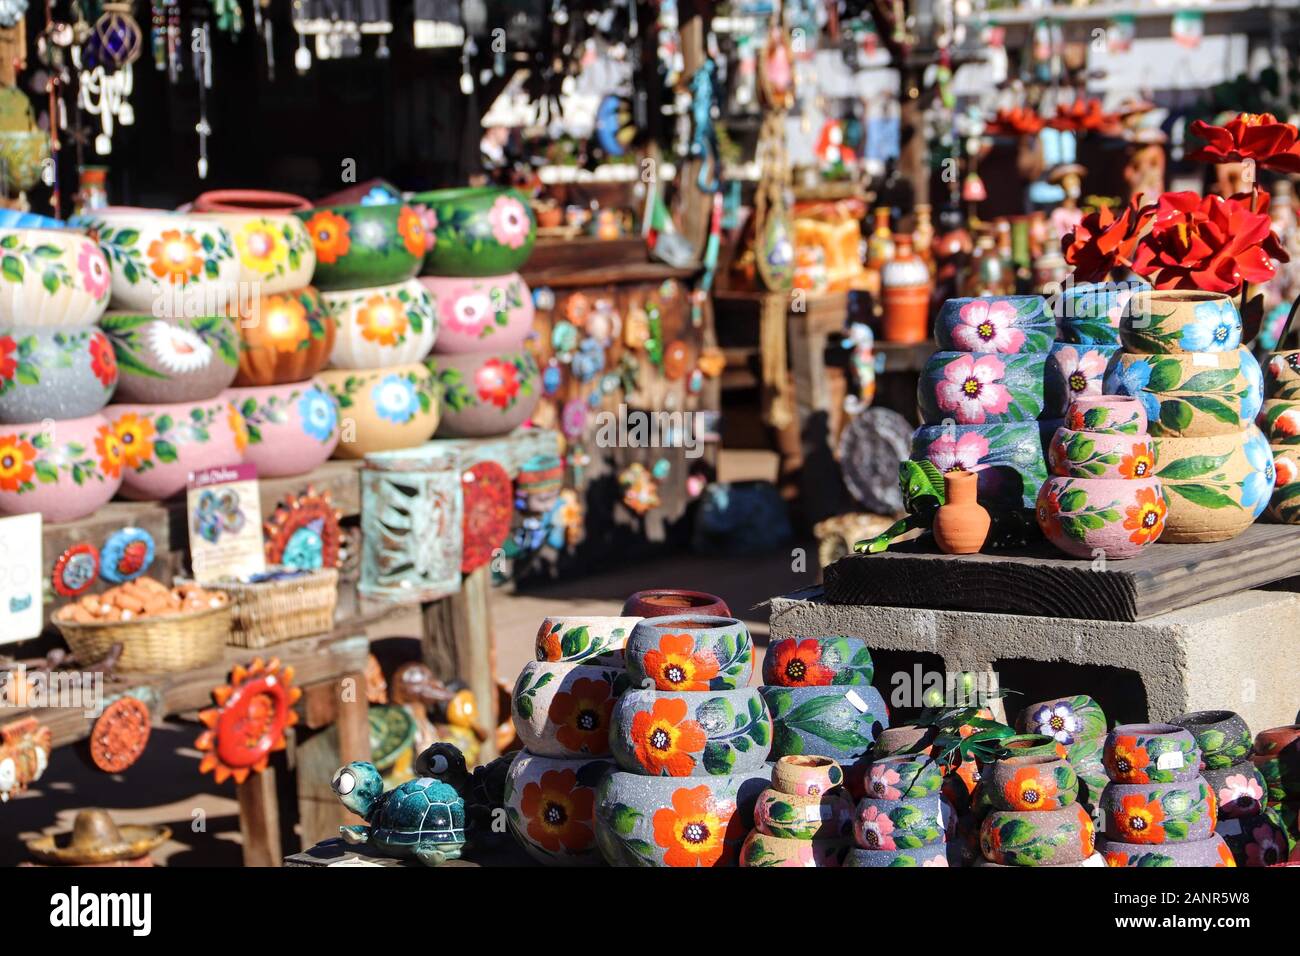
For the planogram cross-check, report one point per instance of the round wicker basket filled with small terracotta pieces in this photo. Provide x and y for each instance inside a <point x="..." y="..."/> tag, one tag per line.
<point x="162" y="644"/>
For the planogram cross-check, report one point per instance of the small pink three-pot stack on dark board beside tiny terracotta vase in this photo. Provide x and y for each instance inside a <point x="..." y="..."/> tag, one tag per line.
<point x="1103" y="498"/>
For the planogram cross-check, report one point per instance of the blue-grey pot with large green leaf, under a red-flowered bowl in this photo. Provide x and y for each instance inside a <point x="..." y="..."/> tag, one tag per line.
<point x="837" y="723"/>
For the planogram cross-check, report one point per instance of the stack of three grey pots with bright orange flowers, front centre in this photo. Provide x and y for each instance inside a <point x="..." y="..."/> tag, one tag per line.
<point x="691" y="741"/>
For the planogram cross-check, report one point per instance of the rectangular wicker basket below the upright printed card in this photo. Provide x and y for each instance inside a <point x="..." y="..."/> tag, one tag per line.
<point x="274" y="612"/>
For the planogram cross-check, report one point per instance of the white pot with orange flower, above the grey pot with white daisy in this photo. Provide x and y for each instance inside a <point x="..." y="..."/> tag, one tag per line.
<point x="166" y="263"/>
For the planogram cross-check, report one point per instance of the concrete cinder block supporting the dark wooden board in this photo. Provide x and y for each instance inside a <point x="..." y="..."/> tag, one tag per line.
<point x="1240" y="652"/>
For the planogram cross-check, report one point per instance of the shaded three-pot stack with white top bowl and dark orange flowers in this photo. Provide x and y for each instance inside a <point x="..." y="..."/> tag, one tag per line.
<point x="562" y="708"/>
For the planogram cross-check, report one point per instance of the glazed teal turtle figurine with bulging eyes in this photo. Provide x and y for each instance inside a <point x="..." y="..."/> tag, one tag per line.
<point x="421" y="820"/>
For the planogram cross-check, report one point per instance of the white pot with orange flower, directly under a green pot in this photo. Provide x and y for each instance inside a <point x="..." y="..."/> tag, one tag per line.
<point x="382" y="327"/>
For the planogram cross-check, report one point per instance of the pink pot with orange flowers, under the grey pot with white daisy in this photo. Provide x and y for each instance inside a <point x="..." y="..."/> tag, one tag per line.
<point x="161" y="445"/>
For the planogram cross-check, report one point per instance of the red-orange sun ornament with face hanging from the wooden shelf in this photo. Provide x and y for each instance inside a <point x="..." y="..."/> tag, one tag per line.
<point x="250" y="720"/>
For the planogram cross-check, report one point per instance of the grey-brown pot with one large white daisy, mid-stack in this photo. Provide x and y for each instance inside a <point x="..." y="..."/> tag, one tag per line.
<point x="172" y="360"/>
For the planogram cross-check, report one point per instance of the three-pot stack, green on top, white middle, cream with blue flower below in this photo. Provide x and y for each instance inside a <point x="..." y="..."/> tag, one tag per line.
<point x="383" y="323"/>
